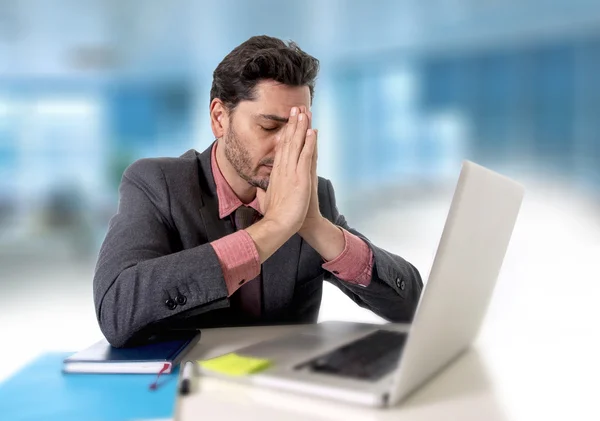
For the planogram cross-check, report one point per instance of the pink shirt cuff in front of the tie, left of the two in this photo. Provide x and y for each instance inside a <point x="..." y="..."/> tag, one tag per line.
<point x="238" y="257"/>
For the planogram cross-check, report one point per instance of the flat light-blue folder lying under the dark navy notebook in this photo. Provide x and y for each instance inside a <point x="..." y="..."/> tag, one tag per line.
<point x="42" y="391"/>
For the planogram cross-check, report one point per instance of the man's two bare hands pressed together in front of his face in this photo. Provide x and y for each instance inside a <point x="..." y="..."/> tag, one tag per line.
<point x="291" y="203"/>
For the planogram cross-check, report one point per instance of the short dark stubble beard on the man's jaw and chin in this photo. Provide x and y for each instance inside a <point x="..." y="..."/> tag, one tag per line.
<point x="239" y="157"/>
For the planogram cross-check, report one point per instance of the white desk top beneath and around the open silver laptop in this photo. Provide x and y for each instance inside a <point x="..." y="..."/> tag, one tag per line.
<point x="463" y="392"/>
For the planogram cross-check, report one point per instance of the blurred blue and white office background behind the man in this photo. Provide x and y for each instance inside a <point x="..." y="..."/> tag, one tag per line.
<point x="407" y="90"/>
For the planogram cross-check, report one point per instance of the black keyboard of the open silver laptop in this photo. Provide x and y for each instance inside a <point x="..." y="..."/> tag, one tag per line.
<point x="368" y="358"/>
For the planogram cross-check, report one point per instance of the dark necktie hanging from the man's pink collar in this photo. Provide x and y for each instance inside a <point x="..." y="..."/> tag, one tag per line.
<point x="248" y="297"/>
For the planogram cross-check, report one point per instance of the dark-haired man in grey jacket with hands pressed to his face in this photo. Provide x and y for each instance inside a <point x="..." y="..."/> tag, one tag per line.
<point x="245" y="232"/>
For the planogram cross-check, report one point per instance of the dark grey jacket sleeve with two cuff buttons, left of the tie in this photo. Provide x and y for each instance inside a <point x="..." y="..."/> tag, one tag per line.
<point x="142" y="276"/>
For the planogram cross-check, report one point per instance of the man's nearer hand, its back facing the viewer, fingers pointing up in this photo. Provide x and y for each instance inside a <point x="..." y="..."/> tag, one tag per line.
<point x="287" y="198"/>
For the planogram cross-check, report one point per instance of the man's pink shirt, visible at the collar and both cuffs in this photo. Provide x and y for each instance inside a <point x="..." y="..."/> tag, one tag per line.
<point x="239" y="258"/>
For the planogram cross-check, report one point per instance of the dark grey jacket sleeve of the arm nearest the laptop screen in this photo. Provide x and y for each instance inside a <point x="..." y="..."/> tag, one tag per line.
<point x="395" y="286"/>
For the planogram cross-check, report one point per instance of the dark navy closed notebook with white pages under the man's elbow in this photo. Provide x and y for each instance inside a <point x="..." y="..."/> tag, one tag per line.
<point x="159" y="355"/>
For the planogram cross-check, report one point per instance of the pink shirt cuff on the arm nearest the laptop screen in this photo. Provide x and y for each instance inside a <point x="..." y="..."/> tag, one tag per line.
<point x="355" y="263"/>
